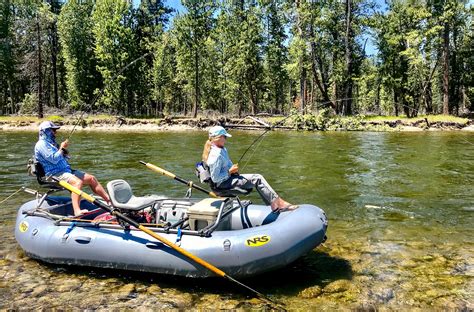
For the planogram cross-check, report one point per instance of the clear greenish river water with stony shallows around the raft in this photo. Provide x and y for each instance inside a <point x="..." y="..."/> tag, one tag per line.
<point x="400" y="209"/>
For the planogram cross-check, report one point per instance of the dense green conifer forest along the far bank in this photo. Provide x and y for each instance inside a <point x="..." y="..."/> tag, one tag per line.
<point x="237" y="57"/>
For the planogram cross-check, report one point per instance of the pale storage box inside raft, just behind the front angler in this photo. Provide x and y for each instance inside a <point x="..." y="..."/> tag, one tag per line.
<point x="204" y="213"/>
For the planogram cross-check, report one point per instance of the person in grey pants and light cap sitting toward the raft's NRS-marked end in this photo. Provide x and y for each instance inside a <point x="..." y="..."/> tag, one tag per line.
<point x="225" y="175"/>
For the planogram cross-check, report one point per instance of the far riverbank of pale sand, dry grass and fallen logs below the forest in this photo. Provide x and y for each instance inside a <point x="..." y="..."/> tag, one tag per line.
<point x="296" y="122"/>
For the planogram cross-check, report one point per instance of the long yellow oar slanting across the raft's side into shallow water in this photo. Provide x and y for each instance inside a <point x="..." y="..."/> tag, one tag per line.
<point x="142" y="228"/>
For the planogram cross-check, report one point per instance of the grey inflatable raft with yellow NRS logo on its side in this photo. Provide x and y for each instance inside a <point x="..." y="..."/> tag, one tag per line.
<point x="244" y="240"/>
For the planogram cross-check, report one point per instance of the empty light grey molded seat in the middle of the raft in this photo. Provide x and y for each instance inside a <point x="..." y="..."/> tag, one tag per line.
<point x="122" y="197"/>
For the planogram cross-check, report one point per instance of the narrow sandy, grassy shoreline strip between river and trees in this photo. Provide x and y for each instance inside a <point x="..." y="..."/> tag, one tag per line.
<point x="117" y="124"/>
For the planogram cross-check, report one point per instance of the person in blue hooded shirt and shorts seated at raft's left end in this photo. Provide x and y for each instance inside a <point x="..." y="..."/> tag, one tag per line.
<point x="53" y="158"/>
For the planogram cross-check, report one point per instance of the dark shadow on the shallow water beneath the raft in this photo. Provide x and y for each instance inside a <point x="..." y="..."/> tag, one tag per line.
<point x="317" y="268"/>
